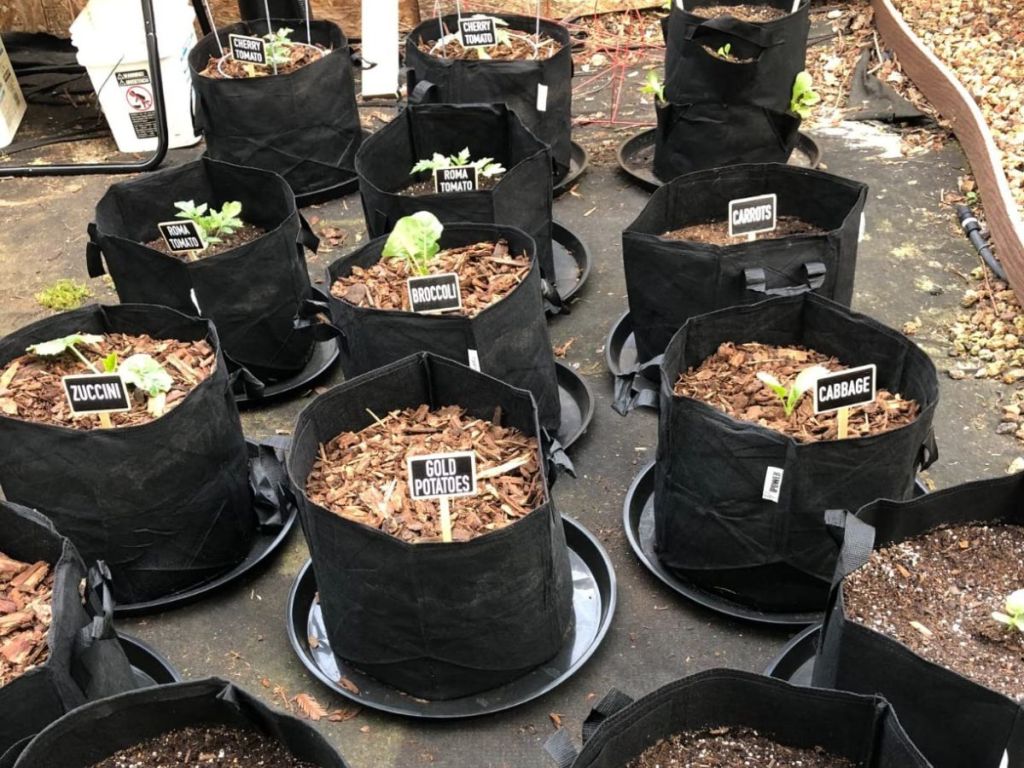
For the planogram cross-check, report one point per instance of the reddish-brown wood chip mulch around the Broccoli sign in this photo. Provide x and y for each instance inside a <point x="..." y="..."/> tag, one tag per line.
<point x="487" y="275"/>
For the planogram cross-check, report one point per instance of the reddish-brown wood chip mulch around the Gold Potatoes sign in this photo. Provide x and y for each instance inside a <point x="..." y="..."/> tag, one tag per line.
<point x="362" y="476"/>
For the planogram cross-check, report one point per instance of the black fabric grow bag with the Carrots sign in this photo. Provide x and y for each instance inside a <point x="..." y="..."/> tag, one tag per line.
<point x="670" y="281"/>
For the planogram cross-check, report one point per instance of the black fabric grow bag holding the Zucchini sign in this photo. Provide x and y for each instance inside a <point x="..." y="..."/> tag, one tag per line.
<point x="166" y="504"/>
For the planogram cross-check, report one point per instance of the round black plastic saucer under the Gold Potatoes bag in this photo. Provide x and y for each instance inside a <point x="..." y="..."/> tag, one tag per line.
<point x="593" y="603"/>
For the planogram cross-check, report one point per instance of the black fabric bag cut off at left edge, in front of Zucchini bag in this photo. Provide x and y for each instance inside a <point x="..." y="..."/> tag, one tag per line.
<point x="86" y="659"/>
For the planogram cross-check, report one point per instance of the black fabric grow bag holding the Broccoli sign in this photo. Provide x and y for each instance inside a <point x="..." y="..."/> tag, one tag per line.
<point x="510" y="338"/>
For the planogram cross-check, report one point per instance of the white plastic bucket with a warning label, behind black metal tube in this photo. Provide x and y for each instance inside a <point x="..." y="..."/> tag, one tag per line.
<point x="110" y="36"/>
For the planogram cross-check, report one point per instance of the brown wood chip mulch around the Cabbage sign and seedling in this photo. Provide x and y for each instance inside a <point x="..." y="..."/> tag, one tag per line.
<point x="729" y="382"/>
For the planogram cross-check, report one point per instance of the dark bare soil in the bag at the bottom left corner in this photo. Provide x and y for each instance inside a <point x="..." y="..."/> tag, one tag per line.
<point x="205" y="748"/>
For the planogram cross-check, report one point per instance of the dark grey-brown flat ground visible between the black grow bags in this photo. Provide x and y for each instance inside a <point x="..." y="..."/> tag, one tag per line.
<point x="908" y="270"/>
